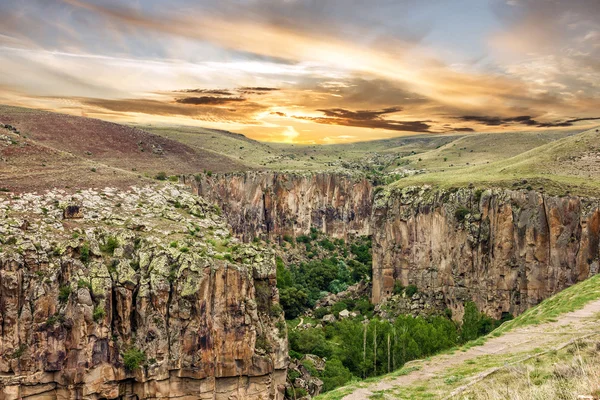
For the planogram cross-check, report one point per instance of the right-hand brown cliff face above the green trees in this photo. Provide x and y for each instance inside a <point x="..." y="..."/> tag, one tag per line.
<point x="506" y="250"/>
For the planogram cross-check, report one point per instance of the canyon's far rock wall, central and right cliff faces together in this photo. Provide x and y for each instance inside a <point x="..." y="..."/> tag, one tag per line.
<point x="504" y="249"/>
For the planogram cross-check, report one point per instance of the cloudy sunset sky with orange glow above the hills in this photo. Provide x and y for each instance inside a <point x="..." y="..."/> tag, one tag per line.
<point x="308" y="71"/>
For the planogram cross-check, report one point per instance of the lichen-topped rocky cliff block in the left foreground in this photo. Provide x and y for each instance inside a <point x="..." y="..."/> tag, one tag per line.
<point x="140" y="294"/>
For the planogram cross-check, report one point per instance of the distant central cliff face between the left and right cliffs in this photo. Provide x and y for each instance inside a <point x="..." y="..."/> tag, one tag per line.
<point x="273" y="204"/>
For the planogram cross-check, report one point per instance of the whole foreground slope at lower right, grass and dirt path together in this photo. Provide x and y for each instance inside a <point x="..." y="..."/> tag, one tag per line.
<point x="550" y="351"/>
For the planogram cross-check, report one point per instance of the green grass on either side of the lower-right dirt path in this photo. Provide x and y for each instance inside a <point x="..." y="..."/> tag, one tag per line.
<point x="536" y="368"/>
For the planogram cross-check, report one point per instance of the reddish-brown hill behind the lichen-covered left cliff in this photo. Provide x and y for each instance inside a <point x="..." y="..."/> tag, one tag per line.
<point x="42" y="149"/>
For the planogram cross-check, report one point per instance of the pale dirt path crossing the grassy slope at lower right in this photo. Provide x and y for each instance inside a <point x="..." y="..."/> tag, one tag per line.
<point x="568" y="326"/>
